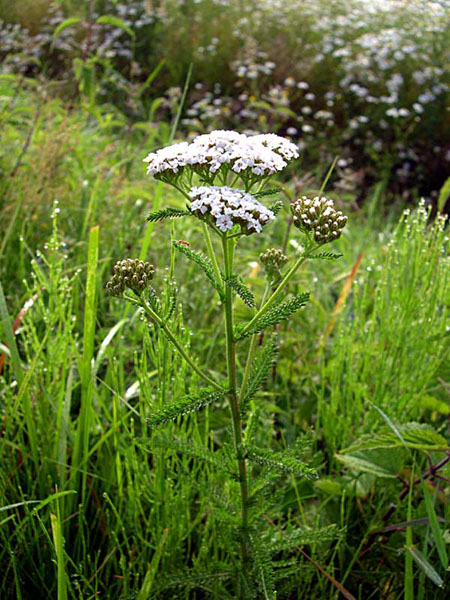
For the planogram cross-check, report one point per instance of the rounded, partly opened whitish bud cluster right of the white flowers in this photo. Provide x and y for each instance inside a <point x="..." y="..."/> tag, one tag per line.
<point x="318" y="216"/>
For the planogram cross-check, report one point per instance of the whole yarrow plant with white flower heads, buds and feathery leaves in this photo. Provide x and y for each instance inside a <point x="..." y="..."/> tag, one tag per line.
<point x="219" y="162"/>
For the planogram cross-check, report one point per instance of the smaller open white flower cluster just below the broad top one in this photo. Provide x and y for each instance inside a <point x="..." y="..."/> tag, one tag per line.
<point x="229" y="207"/>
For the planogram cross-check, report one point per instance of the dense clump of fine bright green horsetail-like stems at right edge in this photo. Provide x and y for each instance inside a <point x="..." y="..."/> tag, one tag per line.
<point x="398" y="305"/>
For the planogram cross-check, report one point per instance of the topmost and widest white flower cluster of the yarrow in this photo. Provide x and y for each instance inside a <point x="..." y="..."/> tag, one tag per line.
<point x="259" y="155"/>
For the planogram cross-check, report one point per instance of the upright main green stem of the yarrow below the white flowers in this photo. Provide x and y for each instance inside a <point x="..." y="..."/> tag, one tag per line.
<point x="228" y="252"/>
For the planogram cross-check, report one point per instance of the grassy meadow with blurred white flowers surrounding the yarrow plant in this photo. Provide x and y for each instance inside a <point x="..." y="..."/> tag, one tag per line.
<point x="92" y="504"/>
